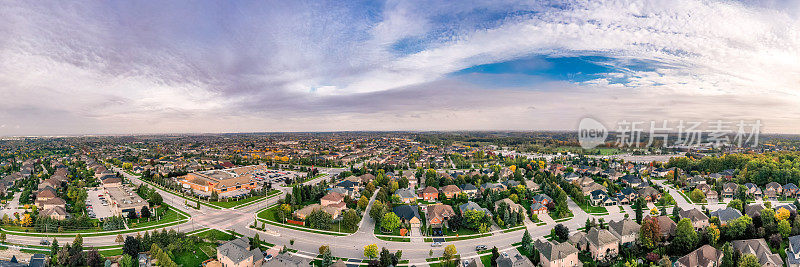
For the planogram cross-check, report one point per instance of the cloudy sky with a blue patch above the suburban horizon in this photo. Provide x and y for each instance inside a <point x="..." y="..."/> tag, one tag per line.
<point x="136" y="67"/>
